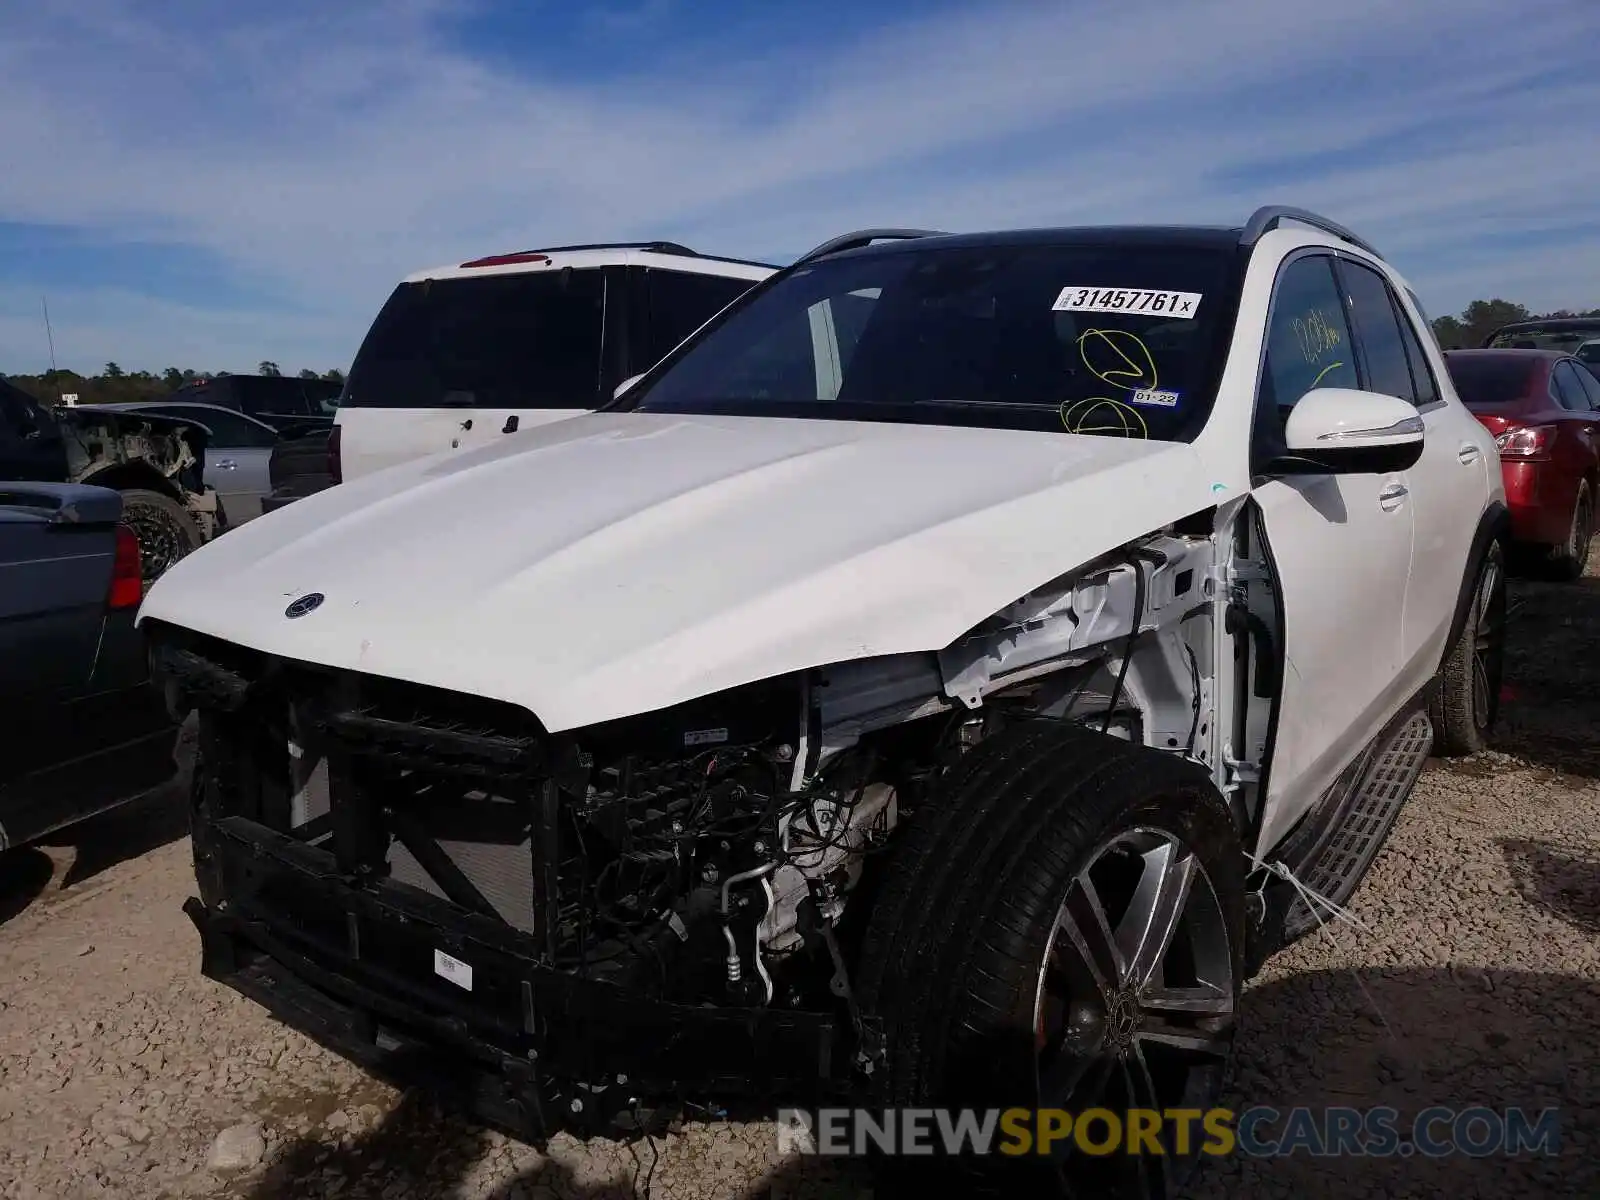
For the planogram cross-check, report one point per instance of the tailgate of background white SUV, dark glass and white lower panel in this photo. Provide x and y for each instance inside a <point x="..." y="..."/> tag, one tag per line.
<point x="454" y="364"/>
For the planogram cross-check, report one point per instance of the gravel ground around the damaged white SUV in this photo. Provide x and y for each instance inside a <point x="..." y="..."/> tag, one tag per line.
<point x="124" y="1073"/>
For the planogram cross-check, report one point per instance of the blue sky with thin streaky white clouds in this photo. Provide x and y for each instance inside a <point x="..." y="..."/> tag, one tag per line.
<point x="209" y="185"/>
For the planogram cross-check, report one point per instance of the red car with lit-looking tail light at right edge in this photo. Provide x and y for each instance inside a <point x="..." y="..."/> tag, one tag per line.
<point x="1545" y="412"/>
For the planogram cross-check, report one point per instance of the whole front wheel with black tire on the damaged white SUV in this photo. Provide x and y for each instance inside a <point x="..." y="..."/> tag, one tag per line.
<point x="1063" y="929"/>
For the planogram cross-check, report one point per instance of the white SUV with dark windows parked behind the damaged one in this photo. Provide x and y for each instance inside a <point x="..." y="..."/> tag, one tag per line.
<point x="466" y="353"/>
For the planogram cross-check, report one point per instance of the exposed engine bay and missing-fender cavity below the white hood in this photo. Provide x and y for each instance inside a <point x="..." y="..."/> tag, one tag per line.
<point x="714" y="854"/>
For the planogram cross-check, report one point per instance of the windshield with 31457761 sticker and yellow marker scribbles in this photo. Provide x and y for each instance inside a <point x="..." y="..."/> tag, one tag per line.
<point x="1090" y="338"/>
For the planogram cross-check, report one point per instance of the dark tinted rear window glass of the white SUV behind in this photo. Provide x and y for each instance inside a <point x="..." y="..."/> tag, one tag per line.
<point x="522" y="340"/>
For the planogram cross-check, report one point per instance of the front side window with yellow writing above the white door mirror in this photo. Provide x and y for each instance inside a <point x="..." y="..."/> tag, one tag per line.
<point x="1308" y="337"/>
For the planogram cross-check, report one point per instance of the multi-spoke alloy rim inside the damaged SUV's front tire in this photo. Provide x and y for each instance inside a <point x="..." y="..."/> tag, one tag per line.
<point x="1135" y="1007"/>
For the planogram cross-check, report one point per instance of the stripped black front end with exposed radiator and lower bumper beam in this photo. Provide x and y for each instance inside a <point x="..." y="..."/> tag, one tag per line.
<point x="393" y="873"/>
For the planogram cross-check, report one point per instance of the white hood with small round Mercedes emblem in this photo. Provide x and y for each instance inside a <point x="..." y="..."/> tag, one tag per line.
<point x="622" y="562"/>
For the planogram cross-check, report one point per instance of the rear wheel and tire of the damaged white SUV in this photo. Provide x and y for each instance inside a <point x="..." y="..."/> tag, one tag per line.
<point x="1466" y="702"/>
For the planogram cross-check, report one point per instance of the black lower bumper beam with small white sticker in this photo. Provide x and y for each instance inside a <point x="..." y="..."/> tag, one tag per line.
<point x="530" y="1049"/>
